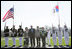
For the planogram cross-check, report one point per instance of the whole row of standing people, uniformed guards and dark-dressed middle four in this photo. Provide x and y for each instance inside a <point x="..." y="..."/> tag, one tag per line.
<point x="37" y="34"/>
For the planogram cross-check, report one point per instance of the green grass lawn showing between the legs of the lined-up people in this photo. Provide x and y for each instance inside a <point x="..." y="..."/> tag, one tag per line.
<point x="17" y="41"/>
